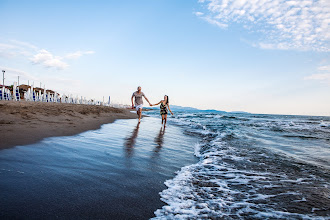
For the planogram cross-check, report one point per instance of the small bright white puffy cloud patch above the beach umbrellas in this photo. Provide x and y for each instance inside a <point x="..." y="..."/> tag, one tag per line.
<point x="49" y="60"/>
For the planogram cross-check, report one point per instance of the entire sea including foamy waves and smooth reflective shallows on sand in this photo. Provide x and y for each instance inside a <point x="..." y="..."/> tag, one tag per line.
<point x="204" y="165"/>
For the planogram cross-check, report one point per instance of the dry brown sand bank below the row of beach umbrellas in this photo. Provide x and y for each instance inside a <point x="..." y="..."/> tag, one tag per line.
<point x="24" y="123"/>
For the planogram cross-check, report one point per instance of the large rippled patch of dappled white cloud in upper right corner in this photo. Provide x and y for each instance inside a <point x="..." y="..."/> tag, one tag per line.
<point x="282" y="24"/>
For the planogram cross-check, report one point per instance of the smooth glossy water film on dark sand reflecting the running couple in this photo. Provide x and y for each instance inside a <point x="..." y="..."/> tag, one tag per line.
<point x="115" y="172"/>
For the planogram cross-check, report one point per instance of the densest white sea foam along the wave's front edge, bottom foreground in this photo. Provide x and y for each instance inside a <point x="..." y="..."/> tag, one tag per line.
<point x="189" y="196"/>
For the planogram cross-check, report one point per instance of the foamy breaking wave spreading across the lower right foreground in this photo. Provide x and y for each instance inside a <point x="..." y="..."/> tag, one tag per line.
<point x="230" y="184"/>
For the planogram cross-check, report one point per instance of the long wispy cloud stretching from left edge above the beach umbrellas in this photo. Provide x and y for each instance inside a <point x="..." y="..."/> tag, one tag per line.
<point x="15" y="48"/>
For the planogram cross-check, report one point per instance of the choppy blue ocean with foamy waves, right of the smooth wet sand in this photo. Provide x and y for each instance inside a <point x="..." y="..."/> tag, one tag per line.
<point x="251" y="167"/>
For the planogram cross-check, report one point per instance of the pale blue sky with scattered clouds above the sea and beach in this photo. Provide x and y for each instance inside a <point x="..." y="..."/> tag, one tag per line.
<point x="258" y="56"/>
